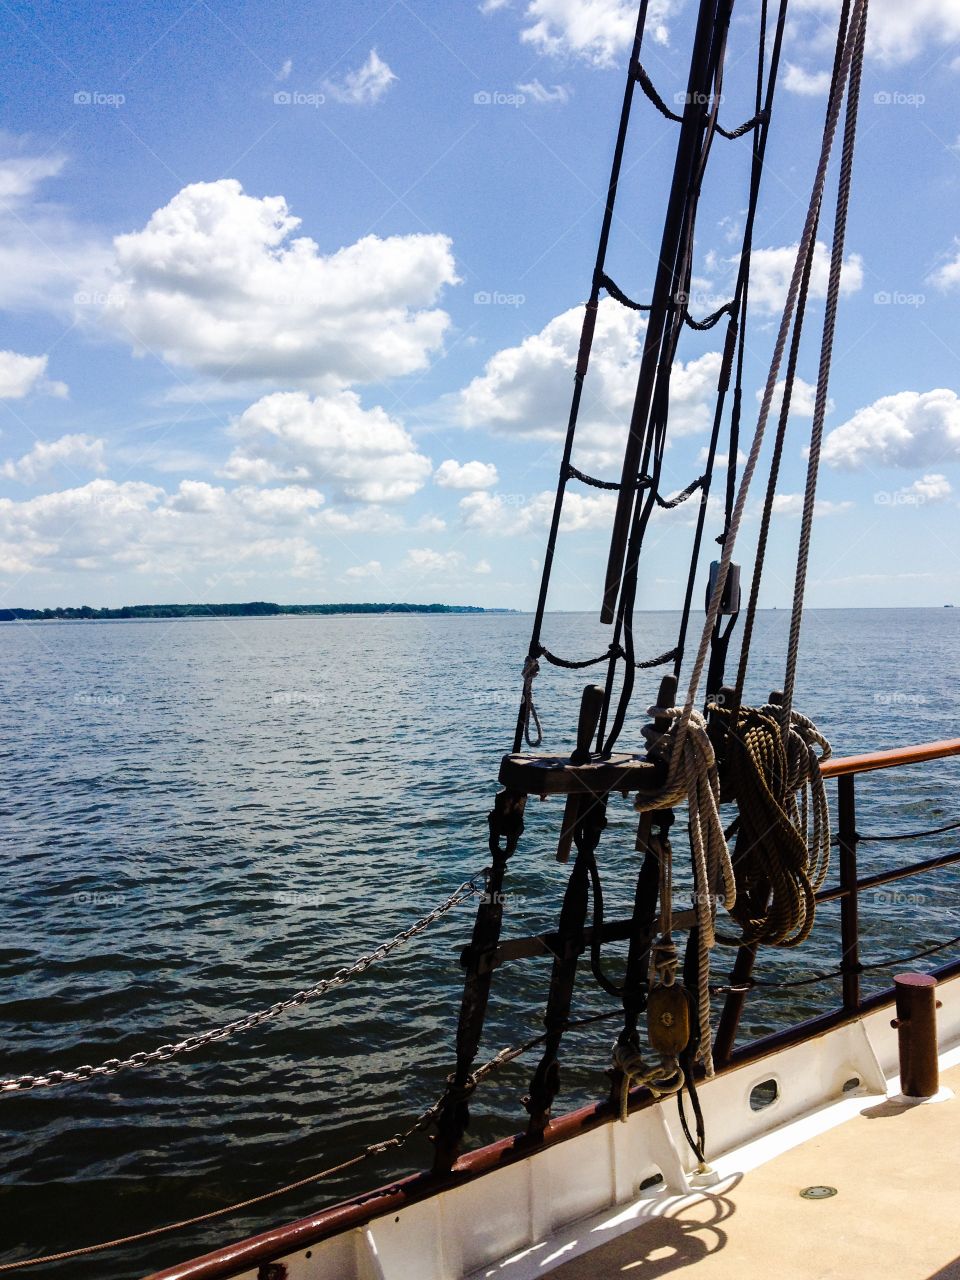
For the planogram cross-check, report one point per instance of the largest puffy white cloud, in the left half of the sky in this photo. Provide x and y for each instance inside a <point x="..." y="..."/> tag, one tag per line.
<point x="216" y="284"/>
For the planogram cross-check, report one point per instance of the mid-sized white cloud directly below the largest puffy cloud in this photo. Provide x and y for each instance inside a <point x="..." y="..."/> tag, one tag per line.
<point x="364" y="455"/>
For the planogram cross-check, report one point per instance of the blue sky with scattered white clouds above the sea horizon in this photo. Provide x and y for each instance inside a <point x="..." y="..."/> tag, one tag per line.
<point x="291" y="299"/>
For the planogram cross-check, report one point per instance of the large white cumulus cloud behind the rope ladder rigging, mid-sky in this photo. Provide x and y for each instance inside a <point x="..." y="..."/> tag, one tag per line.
<point x="525" y="391"/>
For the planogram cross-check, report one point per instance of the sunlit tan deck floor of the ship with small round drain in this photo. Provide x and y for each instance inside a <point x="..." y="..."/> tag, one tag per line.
<point x="897" y="1214"/>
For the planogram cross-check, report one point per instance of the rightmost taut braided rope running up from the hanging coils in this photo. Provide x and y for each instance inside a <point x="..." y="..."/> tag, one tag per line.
<point x="830" y="323"/>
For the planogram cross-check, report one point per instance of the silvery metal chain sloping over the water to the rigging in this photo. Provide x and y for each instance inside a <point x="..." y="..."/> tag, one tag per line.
<point x="191" y="1044"/>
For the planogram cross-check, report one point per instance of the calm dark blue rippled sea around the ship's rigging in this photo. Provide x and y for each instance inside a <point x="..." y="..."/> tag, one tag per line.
<point x="202" y="817"/>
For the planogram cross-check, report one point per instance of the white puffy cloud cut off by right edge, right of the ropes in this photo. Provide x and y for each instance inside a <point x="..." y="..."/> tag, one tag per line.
<point x="909" y="429"/>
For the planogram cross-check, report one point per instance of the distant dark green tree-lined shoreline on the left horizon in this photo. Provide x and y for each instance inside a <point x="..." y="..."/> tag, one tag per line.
<point x="250" y="610"/>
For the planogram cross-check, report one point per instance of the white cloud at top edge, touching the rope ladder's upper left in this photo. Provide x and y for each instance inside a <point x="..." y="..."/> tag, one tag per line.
<point x="596" y="31"/>
